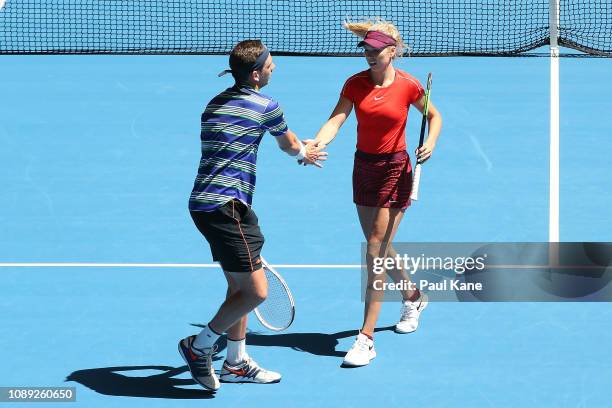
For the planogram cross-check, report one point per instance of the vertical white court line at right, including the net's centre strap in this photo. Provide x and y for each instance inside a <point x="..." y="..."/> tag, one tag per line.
<point x="554" y="179"/>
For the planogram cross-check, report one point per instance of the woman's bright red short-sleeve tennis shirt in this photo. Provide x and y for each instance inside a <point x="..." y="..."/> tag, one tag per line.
<point x="382" y="113"/>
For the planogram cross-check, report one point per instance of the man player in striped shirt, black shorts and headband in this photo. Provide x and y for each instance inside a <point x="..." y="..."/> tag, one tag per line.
<point x="233" y="125"/>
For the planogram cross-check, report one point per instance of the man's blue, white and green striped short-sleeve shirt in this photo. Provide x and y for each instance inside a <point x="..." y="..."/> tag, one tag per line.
<point x="233" y="125"/>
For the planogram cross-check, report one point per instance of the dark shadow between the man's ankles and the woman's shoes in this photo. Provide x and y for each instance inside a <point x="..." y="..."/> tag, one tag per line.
<point x="319" y="344"/>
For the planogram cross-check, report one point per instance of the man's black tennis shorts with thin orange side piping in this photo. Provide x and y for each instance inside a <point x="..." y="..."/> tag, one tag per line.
<point x="234" y="236"/>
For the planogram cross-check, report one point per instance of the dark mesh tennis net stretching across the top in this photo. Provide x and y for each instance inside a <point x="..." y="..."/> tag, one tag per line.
<point x="313" y="27"/>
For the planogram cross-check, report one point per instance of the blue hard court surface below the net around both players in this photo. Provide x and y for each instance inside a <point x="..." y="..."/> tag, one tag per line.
<point x="98" y="157"/>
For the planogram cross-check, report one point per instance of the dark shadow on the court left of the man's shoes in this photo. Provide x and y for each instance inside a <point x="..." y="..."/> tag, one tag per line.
<point x="113" y="381"/>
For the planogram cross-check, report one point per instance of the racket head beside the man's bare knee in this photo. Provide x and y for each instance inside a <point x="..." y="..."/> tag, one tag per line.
<point x="278" y="310"/>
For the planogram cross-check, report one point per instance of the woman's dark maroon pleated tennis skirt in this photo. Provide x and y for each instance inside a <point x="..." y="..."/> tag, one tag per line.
<point x="382" y="180"/>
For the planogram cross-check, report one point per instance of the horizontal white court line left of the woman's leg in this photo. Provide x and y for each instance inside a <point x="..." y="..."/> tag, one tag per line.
<point x="146" y="265"/>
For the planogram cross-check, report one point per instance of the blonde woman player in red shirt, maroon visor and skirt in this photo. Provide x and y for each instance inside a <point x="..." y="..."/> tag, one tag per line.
<point x="382" y="172"/>
